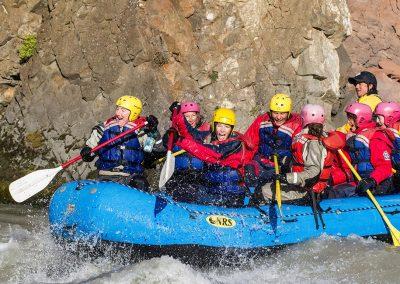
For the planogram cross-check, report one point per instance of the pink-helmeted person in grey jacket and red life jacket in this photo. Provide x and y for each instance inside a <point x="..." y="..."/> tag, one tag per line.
<point x="315" y="165"/>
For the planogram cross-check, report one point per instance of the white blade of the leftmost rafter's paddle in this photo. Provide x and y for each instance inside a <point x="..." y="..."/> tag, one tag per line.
<point x="27" y="186"/>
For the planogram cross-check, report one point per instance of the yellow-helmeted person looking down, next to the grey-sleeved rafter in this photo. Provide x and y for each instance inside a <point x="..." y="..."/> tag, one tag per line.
<point x="271" y="134"/>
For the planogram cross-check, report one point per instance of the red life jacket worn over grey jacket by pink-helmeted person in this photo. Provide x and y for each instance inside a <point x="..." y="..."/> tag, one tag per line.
<point x="319" y="183"/>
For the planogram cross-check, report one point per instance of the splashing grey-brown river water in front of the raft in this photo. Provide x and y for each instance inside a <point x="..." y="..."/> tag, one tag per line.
<point x="28" y="254"/>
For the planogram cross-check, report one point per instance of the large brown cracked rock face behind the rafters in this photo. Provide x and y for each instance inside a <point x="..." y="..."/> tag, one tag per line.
<point x="216" y="52"/>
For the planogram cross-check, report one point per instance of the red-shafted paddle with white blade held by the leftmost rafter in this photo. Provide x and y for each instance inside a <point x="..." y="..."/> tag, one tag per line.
<point x="31" y="184"/>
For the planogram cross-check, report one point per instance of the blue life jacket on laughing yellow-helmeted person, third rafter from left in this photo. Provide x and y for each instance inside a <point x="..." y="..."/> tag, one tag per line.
<point x="220" y="179"/>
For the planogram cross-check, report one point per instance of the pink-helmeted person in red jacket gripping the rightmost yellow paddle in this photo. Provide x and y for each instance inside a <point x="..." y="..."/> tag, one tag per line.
<point x="369" y="148"/>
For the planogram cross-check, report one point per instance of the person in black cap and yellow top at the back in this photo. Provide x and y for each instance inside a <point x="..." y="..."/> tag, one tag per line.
<point x="365" y="85"/>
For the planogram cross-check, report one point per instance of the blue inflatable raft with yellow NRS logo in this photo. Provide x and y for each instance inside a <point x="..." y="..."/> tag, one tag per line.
<point x="94" y="211"/>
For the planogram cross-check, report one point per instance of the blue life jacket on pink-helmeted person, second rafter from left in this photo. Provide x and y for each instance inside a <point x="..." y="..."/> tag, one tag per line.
<point x="185" y="161"/>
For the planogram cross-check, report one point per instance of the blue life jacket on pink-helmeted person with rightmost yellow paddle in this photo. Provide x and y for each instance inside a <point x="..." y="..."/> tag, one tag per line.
<point x="359" y="150"/>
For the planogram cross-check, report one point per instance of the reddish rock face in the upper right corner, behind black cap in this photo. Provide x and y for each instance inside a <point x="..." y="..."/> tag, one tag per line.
<point x="375" y="44"/>
